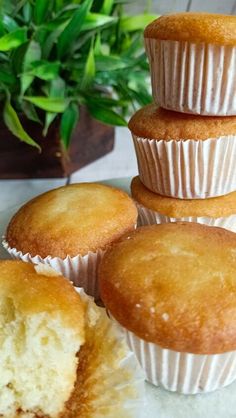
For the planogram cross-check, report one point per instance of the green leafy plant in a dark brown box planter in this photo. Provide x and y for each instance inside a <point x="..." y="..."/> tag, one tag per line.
<point x="64" y="65"/>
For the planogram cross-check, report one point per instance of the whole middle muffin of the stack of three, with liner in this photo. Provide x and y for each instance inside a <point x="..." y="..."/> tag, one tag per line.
<point x="184" y="156"/>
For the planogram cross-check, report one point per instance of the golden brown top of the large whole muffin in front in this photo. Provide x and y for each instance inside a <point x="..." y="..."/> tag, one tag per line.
<point x="174" y="285"/>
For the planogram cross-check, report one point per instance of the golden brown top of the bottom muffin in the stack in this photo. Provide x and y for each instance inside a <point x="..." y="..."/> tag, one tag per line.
<point x="215" y="207"/>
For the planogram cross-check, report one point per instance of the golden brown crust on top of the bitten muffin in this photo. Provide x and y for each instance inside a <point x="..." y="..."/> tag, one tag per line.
<point x="33" y="289"/>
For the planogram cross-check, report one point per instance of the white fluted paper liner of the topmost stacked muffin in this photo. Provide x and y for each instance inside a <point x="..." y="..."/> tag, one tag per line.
<point x="193" y="78"/>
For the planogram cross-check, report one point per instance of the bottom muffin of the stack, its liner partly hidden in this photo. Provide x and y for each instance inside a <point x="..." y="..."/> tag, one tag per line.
<point x="157" y="209"/>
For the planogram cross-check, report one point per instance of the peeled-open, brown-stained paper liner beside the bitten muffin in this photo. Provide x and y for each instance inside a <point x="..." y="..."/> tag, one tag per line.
<point x="109" y="382"/>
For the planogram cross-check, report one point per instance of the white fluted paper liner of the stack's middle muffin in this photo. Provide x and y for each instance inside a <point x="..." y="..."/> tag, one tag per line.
<point x="187" y="169"/>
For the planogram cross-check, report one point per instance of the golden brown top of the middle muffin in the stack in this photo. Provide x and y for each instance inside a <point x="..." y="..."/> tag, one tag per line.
<point x="154" y="122"/>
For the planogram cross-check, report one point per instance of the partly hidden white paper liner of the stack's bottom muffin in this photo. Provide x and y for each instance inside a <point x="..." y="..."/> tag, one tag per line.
<point x="151" y="217"/>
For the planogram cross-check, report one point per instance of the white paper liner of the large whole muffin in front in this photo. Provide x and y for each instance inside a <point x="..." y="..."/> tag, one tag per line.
<point x="183" y="372"/>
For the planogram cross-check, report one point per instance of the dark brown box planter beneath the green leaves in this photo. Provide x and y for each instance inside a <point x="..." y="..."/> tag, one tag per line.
<point x="91" y="140"/>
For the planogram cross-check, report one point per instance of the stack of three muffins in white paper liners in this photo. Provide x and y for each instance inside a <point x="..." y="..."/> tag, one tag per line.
<point x="186" y="149"/>
